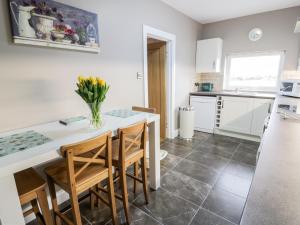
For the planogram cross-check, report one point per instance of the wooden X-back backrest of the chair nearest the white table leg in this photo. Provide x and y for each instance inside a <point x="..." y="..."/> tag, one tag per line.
<point x="132" y="137"/>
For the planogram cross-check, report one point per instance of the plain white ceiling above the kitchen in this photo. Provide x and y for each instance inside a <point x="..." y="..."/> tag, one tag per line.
<point x="207" y="11"/>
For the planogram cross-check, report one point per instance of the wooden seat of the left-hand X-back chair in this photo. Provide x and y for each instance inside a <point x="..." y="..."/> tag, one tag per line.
<point x="58" y="172"/>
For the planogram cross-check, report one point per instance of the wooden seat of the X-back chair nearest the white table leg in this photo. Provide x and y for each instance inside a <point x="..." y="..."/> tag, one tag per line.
<point x="132" y="153"/>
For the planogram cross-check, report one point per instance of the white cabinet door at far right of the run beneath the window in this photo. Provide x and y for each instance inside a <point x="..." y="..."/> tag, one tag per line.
<point x="261" y="109"/>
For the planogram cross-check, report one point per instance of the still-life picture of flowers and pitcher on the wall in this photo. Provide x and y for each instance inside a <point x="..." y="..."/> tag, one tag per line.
<point x="52" y="24"/>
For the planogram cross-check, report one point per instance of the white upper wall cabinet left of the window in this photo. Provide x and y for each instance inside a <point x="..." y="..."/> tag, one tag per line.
<point x="209" y="54"/>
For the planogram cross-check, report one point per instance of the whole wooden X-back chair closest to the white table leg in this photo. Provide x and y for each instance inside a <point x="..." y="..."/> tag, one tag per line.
<point x="129" y="149"/>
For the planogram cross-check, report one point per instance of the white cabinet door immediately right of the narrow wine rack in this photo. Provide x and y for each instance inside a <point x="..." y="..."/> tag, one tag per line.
<point x="236" y="114"/>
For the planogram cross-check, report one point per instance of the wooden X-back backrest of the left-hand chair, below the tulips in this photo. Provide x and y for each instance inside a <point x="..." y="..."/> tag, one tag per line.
<point x="86" y="153"/>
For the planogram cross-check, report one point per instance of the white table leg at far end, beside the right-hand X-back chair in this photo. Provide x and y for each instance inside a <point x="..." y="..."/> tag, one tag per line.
<point x="154" y="152"/>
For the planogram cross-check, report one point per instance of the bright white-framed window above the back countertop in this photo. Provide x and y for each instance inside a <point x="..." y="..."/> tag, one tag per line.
<point x="253" y="72"/>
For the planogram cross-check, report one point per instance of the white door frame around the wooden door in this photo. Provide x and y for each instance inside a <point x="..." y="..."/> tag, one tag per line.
<point x="170" y="39"/>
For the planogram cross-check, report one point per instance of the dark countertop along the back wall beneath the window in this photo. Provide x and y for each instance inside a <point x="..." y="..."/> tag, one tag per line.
<point x="235" y="94"/>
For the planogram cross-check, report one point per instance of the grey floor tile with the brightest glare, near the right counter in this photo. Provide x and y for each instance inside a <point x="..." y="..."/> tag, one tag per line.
<point x="234" y="184"/>
